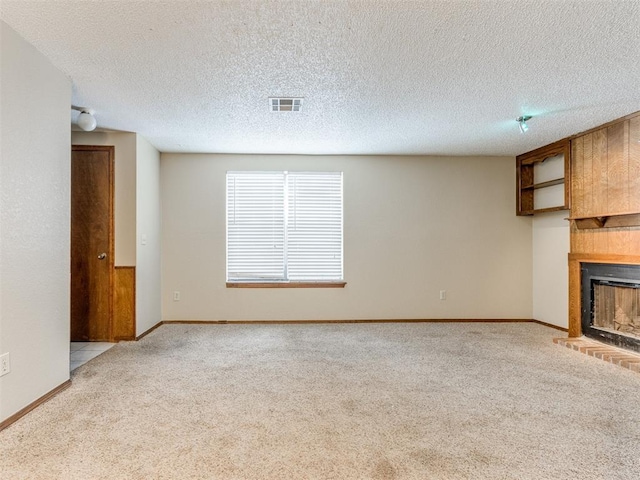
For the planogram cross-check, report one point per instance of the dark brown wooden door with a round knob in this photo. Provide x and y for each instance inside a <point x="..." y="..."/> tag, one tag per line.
<point x="91" y="242"/>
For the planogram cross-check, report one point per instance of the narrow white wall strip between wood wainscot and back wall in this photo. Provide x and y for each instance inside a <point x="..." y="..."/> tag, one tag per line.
<point x="148" y="311"/>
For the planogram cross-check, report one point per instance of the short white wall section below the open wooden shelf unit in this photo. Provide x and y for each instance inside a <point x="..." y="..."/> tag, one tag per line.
<point x="550" y="268"/>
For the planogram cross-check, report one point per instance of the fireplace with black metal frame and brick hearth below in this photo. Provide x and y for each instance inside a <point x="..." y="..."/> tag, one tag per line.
<point x="610" y="303"/>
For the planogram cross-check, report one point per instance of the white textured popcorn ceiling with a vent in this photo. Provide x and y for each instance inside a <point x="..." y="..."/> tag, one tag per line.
<point x="377" y="77"/>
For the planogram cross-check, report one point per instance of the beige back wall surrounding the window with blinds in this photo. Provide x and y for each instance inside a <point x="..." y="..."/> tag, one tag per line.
<point x="413" y="226"/>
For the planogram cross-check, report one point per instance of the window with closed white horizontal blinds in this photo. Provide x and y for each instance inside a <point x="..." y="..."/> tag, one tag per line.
<point x="284" y="227"/>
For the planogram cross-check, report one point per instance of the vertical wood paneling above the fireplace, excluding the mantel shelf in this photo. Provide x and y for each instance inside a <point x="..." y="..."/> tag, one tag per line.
<point x="605" y="180"/>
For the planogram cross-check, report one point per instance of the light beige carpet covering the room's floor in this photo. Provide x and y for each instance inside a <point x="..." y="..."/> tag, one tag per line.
<point x="347" y="401"/>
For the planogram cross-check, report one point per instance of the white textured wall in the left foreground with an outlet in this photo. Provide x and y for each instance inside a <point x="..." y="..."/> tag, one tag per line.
<point x="34" y="213"/>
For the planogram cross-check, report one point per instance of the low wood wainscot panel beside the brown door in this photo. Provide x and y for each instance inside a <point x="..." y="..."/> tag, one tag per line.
<point x="124" y="300"/>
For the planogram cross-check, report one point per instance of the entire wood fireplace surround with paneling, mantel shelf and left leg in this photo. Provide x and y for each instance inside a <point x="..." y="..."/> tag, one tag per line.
<point x="605" y="203"/>
